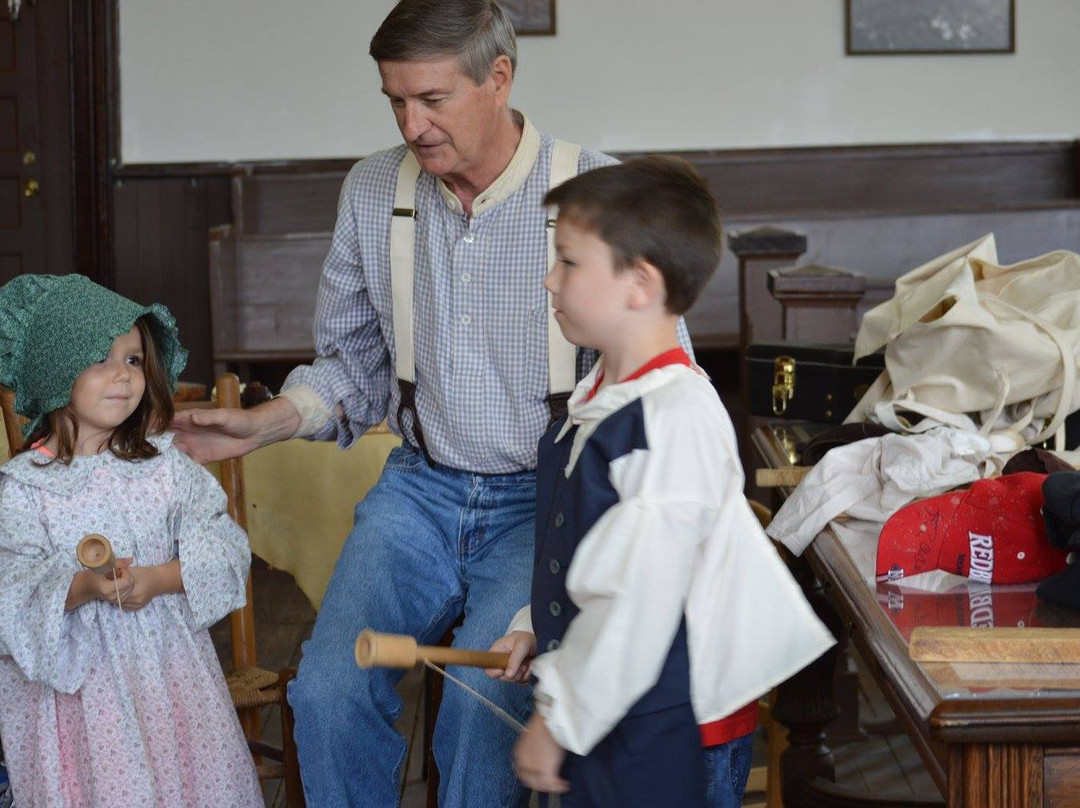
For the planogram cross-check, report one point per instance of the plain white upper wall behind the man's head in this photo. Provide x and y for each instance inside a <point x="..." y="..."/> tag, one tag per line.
<point x="205" y="80"/>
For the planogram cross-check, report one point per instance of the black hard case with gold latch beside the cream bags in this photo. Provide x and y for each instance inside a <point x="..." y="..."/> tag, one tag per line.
<point x="827" y="386"/>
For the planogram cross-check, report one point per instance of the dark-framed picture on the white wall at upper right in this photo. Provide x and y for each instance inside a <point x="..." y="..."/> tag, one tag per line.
<point x="917" y="28"/>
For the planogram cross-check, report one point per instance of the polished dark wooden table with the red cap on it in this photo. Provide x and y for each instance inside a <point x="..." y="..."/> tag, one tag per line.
<point x="1001" y="736"/>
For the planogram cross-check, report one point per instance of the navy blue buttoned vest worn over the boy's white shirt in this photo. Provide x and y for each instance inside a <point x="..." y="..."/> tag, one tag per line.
<point x="566" y="511"/>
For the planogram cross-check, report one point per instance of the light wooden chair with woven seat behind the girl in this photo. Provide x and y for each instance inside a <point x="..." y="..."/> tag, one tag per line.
<point x="251" y="688"/>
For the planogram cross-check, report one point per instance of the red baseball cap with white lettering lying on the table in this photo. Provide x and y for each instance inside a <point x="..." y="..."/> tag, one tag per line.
<point x="993" y="533"/>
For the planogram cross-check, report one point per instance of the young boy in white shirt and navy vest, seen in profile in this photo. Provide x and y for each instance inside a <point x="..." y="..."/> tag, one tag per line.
<point x="657" y="600"/>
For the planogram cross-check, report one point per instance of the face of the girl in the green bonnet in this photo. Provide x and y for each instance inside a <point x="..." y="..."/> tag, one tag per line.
<point x="106" y="394"/>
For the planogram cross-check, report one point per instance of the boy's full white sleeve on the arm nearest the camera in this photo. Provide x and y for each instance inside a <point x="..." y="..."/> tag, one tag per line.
<point x="630" y="577"/>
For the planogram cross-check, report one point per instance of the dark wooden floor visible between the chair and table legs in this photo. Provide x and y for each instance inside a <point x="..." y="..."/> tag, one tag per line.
<point x="883" y="765"/>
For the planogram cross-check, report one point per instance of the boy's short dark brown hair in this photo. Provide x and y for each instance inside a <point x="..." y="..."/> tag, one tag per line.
<point x="656" y="209"/>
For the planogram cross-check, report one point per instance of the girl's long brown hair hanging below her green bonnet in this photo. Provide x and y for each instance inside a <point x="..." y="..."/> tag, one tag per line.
<point x="130" y="440"/>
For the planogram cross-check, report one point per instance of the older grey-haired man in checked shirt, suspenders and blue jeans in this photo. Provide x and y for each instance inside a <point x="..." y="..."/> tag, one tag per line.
<point x="431" y="313"/>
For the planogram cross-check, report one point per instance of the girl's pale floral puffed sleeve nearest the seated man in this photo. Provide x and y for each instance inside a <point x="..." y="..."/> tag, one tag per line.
<point x="215" y="557"/>
